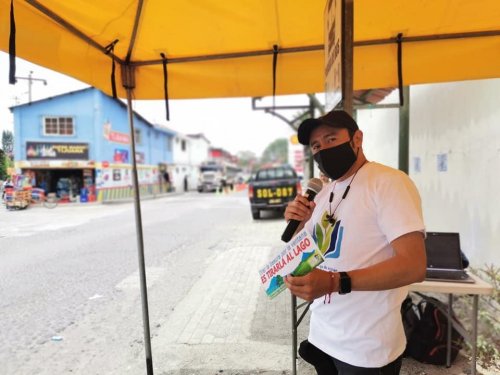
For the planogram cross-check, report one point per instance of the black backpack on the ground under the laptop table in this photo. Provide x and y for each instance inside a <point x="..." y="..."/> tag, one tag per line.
<point x="426" y="329"/>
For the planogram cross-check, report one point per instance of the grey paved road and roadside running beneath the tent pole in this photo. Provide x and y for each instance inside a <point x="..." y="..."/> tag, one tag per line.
<point x="70" y="301"/>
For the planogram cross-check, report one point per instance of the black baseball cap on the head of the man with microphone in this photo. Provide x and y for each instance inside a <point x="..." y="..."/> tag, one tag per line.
<point x="335" y="119"/>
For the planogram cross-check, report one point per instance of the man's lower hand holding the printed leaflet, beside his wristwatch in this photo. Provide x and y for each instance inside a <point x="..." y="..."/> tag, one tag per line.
<point x="315" y="284"/>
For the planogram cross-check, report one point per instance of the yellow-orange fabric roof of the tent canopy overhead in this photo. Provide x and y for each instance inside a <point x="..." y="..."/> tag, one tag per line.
<point x="216" y="48"/>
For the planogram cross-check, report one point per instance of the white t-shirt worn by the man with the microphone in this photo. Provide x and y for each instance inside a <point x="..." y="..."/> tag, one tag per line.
<point x="363" y="328"/>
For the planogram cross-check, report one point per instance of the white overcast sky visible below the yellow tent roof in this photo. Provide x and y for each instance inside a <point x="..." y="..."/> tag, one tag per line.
<point x="227" y="123"/>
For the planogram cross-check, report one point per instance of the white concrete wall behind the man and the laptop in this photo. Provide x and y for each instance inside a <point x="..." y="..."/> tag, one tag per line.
<point x="454" y="159"/>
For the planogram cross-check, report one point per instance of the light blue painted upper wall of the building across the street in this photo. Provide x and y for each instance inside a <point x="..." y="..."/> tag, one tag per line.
<point x="91" y="111"/>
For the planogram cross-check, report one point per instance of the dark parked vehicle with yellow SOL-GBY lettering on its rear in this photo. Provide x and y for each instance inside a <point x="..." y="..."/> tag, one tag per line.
<point x="272" y="188"/>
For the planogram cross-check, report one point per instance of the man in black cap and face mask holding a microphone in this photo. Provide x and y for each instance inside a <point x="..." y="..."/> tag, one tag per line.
<point x="368" y="224"/>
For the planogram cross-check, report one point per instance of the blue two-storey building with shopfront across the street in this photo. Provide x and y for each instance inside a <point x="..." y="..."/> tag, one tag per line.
<point x="81" y="140"/>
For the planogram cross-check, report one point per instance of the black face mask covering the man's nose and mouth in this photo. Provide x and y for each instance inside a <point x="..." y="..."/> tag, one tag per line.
<point x="336" y="161"/>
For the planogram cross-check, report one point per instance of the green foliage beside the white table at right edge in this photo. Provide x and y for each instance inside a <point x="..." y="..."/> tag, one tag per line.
<point x="488" y="340"/>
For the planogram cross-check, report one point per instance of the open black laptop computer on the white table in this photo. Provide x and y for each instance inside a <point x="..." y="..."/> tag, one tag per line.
<point x="444" y="259"/>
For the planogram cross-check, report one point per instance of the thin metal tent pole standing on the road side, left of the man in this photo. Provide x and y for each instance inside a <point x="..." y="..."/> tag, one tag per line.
<point x="128" y="83"/>
